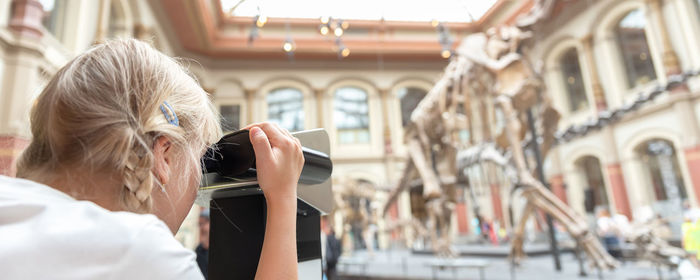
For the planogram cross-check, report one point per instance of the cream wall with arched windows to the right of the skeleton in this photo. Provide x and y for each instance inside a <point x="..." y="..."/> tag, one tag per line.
<point x="672" y="117"/>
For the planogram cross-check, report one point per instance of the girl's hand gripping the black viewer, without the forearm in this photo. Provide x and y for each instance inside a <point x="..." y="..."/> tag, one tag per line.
<point x="279" y="160"/>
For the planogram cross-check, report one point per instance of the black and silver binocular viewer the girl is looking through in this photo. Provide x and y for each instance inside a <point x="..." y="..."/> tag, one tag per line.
<point x="238" y="210"/>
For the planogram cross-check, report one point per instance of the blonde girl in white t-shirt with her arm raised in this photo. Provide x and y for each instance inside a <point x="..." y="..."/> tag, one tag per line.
<point x="113" y="168"/>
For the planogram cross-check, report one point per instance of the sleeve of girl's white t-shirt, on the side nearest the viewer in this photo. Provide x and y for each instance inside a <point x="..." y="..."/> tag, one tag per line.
<point x="156" y="254"/>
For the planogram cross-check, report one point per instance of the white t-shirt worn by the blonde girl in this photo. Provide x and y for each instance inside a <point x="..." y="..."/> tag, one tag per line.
<point x="46" y="234"/>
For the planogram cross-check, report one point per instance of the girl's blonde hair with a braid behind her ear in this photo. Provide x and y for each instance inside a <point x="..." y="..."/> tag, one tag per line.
<point x="102" y="112"/>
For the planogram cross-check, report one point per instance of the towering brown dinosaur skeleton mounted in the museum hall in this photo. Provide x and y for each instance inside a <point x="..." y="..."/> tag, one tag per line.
<point x="493" y="71"/>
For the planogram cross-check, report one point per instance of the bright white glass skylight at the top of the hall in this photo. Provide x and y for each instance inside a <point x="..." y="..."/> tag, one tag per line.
<point x="390" y="10"/>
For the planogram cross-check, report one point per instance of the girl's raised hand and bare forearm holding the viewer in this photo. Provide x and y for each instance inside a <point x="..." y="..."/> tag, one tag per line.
<point x="279" y="161"/>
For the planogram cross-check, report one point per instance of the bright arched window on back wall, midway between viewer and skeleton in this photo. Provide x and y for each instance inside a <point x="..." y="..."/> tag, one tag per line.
<point x="351" y="115"/>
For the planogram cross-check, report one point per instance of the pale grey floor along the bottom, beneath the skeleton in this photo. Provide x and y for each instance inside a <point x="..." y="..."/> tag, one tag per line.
<point x="402" y="264"/>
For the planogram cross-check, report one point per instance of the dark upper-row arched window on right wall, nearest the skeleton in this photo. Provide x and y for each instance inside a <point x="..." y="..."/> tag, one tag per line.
<point x="573" y="80"/>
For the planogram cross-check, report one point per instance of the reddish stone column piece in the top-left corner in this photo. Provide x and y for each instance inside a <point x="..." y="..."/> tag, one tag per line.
<point x="26" y="18"/>
